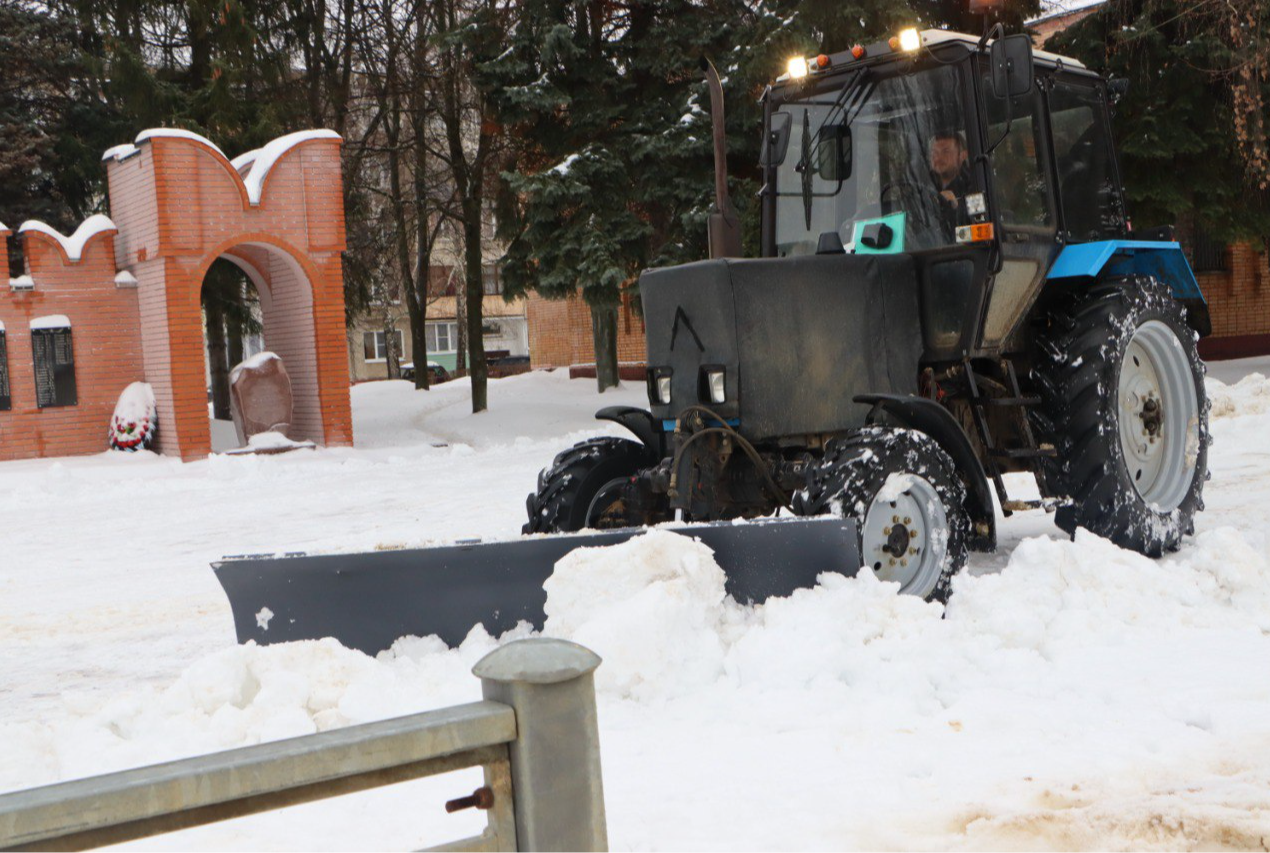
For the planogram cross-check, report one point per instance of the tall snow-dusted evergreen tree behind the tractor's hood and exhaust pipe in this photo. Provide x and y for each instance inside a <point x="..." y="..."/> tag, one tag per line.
<point x="614" y="169"/>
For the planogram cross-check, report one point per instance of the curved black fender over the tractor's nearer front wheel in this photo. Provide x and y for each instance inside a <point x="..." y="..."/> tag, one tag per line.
<point x="935" y="421"/>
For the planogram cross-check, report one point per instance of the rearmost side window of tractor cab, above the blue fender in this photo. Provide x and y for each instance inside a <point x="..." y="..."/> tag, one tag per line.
<point x="1083" y="157"/>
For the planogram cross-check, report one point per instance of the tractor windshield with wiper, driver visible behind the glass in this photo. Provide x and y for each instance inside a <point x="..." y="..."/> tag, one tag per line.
<point x="874" y="152"/>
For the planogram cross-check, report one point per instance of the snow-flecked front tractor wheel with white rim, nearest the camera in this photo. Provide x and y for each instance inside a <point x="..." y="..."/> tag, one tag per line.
<point x="909" y="503"/>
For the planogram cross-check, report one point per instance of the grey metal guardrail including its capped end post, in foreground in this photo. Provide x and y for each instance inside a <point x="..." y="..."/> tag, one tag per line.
<point x="535" y="734"/>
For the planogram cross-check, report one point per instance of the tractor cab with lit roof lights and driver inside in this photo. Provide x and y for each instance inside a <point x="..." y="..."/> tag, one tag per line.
<point x="979" y="158"/>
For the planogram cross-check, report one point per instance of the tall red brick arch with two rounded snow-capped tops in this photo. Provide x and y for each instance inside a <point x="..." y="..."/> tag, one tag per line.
<point x="180" y="205"/>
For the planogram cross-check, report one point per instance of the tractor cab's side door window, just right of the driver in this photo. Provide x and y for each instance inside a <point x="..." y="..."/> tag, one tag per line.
<point x="1018" y="172"/>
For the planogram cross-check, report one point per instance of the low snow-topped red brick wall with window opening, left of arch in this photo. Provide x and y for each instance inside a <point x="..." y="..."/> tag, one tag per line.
<point x="105" y="336"/>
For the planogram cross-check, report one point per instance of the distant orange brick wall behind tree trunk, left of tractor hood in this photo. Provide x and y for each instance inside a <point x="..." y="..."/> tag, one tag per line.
<point x="561" y="333"/>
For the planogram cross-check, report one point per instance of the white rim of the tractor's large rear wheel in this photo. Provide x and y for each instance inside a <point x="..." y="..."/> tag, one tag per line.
<point x="1159" y="417"/>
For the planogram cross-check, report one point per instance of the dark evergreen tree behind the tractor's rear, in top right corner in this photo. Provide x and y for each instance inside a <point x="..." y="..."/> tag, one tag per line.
<point x="1191" y="128"/>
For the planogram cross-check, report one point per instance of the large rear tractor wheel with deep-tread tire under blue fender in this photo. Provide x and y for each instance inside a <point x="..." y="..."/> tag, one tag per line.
<point x="1125" y="406"/>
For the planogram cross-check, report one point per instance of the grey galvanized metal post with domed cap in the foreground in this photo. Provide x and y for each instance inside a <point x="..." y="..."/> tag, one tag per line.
<point x="556" y="757"/>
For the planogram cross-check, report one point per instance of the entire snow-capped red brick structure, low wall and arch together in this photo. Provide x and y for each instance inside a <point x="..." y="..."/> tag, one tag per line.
<point x="133" y="298"/>
